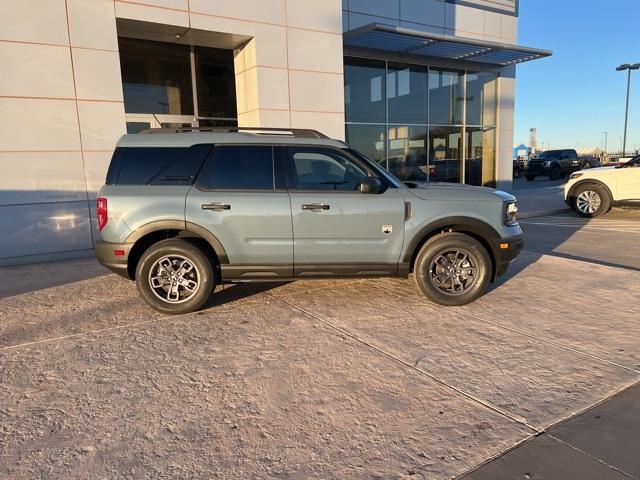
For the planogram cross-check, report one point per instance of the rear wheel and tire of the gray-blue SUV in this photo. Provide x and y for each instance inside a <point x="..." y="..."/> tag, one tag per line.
<point x="175" y="251"/>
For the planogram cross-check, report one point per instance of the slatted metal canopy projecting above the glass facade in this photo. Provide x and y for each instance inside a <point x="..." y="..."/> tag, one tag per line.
<point x="415" y="42"/>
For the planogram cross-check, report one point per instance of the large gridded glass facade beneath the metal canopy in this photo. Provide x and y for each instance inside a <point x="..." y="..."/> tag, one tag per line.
<point x="423" y="123"/>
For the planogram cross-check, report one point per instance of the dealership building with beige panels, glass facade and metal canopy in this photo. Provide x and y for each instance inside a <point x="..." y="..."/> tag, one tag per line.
<point x="424" y="87"/>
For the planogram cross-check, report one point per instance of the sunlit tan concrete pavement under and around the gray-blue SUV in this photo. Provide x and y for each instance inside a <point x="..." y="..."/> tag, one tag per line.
<point x="324" y="379"/>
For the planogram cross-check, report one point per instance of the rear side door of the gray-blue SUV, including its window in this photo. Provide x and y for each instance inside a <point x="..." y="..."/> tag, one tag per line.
<point x="240" y="197"/>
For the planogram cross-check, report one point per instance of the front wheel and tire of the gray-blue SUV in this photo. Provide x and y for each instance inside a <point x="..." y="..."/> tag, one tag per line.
<point x="429" y="267"/>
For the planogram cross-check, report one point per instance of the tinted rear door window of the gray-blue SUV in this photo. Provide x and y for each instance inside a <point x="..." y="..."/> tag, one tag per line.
<point x="238" y="168"/>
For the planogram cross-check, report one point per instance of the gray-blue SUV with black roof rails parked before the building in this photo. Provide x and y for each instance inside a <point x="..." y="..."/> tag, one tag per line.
<point x="185" y="210"/>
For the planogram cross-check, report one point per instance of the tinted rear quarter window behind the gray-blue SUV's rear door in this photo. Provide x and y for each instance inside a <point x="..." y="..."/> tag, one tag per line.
<point x="156" y="165"/>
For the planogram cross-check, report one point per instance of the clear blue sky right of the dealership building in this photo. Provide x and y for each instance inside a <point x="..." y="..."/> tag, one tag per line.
<point x="576" y="95"/>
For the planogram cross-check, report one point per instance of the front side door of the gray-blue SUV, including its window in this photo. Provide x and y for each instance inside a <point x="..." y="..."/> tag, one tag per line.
<point x="336" y="228"/>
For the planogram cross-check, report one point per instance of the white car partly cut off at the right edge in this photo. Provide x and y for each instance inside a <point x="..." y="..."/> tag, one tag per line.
<point x="593" y="192"/>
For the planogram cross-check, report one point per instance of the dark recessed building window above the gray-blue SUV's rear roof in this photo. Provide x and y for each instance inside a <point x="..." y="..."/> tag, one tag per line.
<point x="161" y="91"/>
